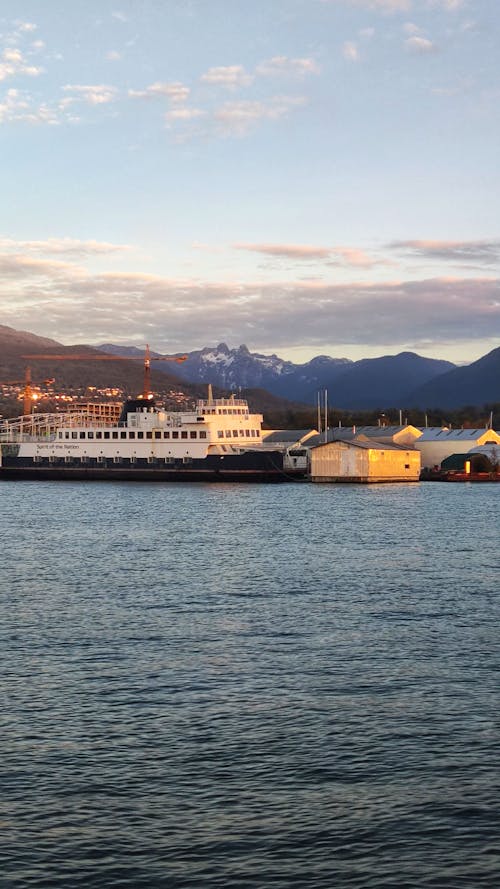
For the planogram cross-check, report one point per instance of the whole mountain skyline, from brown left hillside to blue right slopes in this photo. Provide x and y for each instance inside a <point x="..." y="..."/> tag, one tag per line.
<point x="406" y="380"/>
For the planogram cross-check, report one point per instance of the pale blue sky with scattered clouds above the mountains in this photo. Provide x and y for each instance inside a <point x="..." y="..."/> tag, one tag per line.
<point x="304" y="177"/>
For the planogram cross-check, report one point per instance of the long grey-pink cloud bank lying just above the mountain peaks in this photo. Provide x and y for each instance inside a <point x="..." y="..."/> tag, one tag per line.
<point x="72" y="305"/>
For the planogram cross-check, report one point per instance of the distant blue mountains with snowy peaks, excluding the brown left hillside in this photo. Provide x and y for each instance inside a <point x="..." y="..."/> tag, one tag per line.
<point x="404" y="380"/>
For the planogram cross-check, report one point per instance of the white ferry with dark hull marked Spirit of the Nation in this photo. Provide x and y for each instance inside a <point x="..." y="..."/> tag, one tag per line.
<point x="219" y="440"/>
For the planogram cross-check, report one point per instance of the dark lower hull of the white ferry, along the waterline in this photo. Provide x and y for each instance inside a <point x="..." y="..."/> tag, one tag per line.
<point x="251" y="466"/>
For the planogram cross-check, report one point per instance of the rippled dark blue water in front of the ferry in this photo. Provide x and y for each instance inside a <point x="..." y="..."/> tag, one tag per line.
<point x="262" y="686"/>
